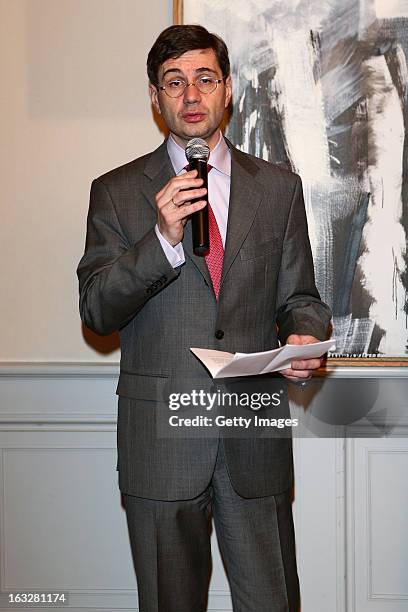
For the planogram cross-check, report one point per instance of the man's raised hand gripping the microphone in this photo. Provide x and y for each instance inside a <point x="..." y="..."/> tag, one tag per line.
<point x="174" y="207"/>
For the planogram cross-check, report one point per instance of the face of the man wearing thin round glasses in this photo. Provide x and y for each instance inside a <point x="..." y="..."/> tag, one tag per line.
<point x="193" y="114"/>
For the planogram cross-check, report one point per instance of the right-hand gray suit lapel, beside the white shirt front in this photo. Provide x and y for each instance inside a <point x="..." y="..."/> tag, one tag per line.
<point x="245" y="197"/>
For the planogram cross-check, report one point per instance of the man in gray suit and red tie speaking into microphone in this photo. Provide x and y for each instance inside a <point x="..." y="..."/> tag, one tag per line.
<point x="139" y="276"/>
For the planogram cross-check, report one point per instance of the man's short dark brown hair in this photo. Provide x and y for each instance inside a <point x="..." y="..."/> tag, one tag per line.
<point x="176" y="40"/>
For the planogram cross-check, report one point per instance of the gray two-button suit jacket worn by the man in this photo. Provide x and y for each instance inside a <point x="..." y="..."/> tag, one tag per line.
<point x="267" y="292"/>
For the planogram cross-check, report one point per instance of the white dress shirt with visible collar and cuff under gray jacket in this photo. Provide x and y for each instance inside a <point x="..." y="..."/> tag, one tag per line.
<point x="219" y="182"/>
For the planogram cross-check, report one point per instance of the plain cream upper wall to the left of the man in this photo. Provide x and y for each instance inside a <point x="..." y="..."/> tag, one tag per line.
<point x="73" y="104"/>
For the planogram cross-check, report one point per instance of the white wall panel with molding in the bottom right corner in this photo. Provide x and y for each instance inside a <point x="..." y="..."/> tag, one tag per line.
<point x="377" y="530"/>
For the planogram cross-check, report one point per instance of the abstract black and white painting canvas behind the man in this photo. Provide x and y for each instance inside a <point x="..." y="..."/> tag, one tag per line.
<point x="320" y="86"/>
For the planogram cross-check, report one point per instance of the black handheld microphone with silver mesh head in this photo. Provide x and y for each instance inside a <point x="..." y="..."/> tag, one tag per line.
<point x="197" y="153"/>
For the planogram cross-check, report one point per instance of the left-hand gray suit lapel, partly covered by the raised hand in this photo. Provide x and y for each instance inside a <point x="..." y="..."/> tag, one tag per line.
<point x="158" y="171"/>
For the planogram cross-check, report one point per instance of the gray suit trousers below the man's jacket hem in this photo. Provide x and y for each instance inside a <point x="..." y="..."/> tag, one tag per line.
<point x="170" y="542"/>
